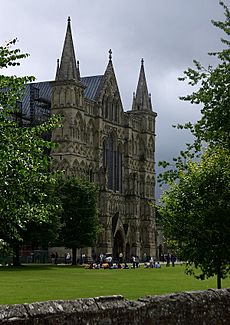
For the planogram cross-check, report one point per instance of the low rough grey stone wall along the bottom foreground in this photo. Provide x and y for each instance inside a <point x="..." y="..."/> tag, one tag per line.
<point x="211" y="307"/>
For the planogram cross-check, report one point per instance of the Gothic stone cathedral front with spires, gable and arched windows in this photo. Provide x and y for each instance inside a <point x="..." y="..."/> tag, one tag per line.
<point x="109" y="146"/>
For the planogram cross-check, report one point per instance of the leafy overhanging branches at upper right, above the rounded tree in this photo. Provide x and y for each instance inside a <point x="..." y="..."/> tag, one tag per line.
<point x="213" y="93"/>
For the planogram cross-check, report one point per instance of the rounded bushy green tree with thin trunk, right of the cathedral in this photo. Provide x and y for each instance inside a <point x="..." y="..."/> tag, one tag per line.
<point x="195" y="214"/>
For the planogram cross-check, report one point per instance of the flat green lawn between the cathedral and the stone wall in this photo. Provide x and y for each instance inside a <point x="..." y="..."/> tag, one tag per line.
<point x="41" y="283"/>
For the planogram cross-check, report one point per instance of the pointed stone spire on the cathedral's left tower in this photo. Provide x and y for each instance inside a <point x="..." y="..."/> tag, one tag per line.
<point x="68" y="69"/>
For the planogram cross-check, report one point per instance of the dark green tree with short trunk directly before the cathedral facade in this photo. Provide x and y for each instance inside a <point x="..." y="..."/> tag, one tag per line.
<point x="79" y="217"/>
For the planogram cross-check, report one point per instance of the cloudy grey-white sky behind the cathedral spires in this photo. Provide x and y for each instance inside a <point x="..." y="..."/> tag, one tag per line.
<point x="168" y="34"/>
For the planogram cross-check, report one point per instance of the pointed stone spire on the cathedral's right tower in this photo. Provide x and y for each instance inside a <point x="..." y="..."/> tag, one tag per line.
<point x="142" y="100"/>
